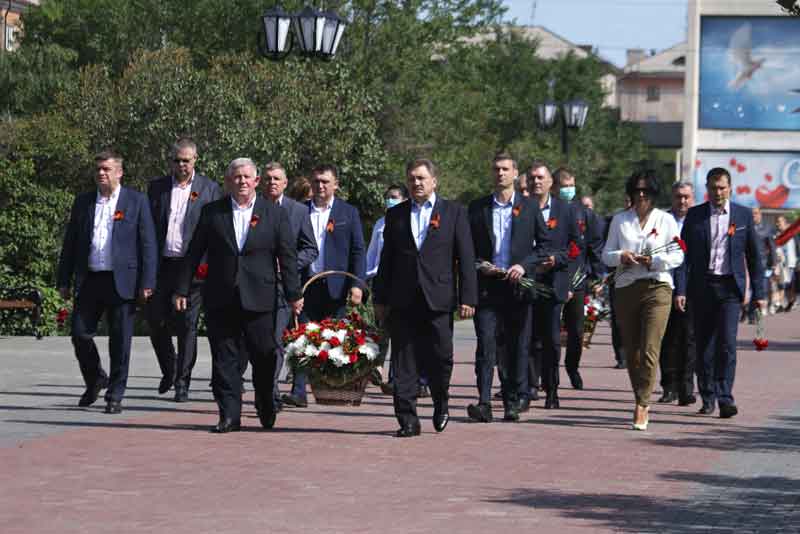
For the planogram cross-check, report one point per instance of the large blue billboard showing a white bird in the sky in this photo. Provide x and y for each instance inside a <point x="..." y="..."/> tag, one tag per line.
<point x="749" y="73"/>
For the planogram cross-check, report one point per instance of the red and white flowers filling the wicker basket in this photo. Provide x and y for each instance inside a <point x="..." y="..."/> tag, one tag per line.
<point x="335" y="352"/>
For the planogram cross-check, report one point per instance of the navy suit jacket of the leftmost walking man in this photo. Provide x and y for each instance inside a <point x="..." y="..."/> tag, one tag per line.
<point x="133" y="244"/>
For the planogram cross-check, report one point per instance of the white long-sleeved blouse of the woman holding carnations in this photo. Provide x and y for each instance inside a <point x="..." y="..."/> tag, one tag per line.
<point x="626" y="234"/>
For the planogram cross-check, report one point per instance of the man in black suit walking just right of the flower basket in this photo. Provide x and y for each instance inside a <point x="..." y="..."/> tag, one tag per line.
<point x="427" y="267"/>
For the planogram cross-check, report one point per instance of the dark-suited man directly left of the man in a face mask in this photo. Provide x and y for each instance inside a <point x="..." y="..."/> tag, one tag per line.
<point x="557" y="272"/>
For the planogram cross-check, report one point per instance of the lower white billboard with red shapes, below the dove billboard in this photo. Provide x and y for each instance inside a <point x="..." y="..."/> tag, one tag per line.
<point x="765" y="179"/>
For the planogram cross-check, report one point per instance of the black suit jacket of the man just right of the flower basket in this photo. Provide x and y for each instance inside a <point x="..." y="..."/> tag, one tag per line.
<point x="447" y="250"/>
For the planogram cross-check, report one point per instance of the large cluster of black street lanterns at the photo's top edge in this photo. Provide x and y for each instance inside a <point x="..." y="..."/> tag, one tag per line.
<point x="318" y="33"/>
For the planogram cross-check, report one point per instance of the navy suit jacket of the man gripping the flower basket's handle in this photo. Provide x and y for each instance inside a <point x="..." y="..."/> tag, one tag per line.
<point x="344" y="248"/>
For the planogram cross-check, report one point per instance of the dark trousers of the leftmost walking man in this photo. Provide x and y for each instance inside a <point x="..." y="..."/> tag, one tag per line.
<point x="97" y="296"/>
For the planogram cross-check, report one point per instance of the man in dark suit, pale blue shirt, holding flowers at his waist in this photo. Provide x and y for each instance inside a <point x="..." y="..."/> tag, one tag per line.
<point x="507" y="231"/>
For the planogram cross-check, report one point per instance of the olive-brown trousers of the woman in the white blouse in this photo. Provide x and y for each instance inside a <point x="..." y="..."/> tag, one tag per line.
<point x="642" y="313"/>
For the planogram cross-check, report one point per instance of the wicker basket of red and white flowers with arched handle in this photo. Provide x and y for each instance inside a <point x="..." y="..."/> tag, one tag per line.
<point x="338" y="355"/>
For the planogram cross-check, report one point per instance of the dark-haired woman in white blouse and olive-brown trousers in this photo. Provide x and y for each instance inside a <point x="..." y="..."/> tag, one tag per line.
<point x="641" y="246"/>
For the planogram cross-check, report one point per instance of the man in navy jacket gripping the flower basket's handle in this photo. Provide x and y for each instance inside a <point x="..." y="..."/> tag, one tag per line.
<point x="340" y="241"/>
